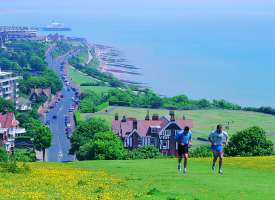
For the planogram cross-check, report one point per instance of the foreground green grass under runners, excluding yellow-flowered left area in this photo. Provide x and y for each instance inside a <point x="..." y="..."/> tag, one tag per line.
<point x="244" y="178"/>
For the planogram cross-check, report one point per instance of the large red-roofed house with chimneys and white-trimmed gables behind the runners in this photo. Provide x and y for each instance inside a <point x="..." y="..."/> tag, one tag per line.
<point x="159" y="132"/>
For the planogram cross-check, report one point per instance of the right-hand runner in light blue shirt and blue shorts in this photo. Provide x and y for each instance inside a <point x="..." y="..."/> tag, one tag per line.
<point x="218" y="138"/>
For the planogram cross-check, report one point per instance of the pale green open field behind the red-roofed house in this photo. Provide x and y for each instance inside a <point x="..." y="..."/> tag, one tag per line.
<point x="204" y="120"/>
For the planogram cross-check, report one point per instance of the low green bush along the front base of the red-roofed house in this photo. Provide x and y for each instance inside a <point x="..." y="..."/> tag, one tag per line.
<point x="145" y="152"/>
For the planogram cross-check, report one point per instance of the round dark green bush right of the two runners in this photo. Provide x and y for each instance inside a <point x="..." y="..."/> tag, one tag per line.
<point x="249" y="142"/>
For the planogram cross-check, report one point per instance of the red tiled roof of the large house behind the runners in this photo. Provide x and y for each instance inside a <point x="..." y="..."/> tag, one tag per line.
<point x="124" y="128"/>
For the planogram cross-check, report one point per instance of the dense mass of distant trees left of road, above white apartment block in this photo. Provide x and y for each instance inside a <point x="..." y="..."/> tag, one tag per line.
<point x="27" y="58"/>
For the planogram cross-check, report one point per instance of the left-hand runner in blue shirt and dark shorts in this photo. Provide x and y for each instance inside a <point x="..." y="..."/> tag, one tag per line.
<point x="184" y="140"/>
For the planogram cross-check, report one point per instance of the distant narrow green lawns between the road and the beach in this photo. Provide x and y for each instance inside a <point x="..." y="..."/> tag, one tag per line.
<point x="80" y="78"/>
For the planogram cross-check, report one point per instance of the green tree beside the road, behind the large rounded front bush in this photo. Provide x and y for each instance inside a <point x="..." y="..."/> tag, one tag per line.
<point x="86" y="131"/>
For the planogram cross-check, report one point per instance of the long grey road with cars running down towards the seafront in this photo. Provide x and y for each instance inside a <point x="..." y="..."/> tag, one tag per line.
<point x="59" y="150"/>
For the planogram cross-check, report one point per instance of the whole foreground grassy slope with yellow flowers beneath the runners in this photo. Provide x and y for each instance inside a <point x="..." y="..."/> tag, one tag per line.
<point x="244" y="178"/>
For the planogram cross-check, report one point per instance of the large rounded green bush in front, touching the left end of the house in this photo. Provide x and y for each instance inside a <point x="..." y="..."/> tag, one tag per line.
<point x="104" y="146"/>
